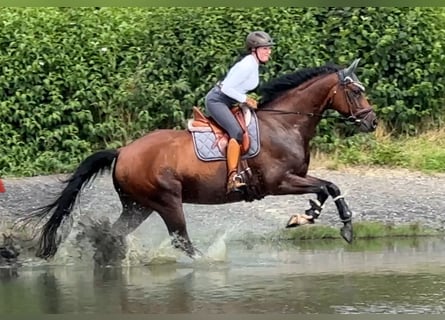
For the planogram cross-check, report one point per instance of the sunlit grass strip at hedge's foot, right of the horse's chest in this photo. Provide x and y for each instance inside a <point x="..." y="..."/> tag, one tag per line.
<point x="424" y="152"/>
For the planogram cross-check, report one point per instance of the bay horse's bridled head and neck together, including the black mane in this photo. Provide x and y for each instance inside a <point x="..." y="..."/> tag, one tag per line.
<point x="302" y="93"/>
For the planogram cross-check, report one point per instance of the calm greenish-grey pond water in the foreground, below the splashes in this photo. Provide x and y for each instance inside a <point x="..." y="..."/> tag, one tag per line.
<point x="389" y="278"/>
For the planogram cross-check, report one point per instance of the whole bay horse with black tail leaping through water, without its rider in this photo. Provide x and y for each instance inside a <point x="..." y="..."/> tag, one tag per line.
<point x="160" y="170"/>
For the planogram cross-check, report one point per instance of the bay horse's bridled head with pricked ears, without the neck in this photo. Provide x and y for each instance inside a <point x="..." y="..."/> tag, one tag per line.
<point x="348" y="98"/>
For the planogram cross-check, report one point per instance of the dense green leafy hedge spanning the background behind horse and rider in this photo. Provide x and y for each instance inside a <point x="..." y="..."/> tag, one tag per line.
<point x="74" y="80"/>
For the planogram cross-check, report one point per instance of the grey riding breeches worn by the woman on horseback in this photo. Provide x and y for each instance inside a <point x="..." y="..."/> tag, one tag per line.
<point x="218" y="107"/>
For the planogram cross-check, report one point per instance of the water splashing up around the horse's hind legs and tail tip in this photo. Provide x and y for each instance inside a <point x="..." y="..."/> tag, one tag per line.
<point x="87" y="241"/>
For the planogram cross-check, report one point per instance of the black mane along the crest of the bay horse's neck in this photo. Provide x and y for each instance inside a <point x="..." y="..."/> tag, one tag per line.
<point x="278" y="86"/>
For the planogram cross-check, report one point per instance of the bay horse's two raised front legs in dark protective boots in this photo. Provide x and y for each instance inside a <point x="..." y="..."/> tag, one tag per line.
<point x="301" y="185"/>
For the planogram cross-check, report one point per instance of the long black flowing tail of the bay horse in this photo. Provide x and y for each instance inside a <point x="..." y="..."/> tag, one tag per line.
<point x="63" y="205"/>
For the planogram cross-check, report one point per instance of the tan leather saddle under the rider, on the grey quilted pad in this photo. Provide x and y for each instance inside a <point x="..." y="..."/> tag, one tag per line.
<point x="200" y="123"/>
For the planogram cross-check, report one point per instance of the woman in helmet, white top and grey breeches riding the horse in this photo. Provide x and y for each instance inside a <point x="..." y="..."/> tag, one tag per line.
<point x="242" y="77"/>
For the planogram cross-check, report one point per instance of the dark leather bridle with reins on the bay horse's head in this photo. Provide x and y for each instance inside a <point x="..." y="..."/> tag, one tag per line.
<point x="352" y="118"/>
